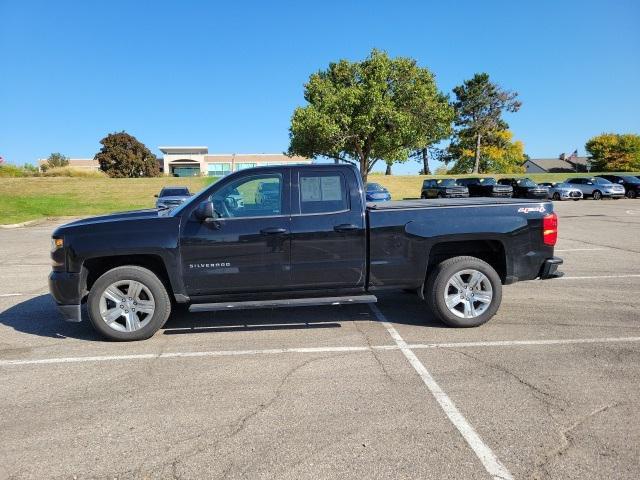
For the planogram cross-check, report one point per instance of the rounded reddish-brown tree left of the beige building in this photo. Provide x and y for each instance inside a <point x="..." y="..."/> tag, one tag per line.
<point x="123" y="156"/>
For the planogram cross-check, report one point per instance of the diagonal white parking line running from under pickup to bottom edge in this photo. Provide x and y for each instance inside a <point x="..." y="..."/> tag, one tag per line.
<point x="491" y="463"/>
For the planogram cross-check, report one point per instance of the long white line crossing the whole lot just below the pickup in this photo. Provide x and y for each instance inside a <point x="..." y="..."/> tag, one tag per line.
<point x="274" y="351"/>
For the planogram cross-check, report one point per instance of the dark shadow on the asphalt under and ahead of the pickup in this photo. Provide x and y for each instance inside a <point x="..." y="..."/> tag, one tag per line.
<point x="38" y="316"/>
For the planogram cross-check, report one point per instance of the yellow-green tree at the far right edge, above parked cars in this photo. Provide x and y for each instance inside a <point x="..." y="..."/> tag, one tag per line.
<point x="614" y="152"/>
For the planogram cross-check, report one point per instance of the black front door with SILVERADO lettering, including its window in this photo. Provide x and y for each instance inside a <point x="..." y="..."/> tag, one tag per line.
<point x="247" y="248"/>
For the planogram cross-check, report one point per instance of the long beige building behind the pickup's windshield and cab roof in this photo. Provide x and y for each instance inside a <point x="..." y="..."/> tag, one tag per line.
<point x="187" y="161"/>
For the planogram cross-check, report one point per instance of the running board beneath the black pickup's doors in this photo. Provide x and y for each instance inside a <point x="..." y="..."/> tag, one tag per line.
<point x="287" y="302"/>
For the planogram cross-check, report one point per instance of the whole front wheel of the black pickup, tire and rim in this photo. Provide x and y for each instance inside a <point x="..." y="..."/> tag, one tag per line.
<point x="151" y="300"/>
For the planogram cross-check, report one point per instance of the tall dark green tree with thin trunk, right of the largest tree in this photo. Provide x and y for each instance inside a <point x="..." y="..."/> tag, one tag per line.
<point x="479" y="106"/>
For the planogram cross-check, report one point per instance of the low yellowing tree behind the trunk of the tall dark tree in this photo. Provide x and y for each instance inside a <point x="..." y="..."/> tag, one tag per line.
<point x="498" y="154"/>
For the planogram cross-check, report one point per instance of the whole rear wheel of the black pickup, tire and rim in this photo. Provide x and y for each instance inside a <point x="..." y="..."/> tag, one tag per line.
<point x="463" y="291"/>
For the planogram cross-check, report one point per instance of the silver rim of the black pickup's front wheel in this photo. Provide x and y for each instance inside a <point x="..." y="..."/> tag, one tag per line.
<point x="127" y="306"/>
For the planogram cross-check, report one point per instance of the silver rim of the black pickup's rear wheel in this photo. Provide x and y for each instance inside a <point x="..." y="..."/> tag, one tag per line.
<point x="468" y="293"/>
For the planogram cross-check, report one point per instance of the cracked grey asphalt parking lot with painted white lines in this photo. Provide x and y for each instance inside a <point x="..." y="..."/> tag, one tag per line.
<point x="547" y="389"/>
